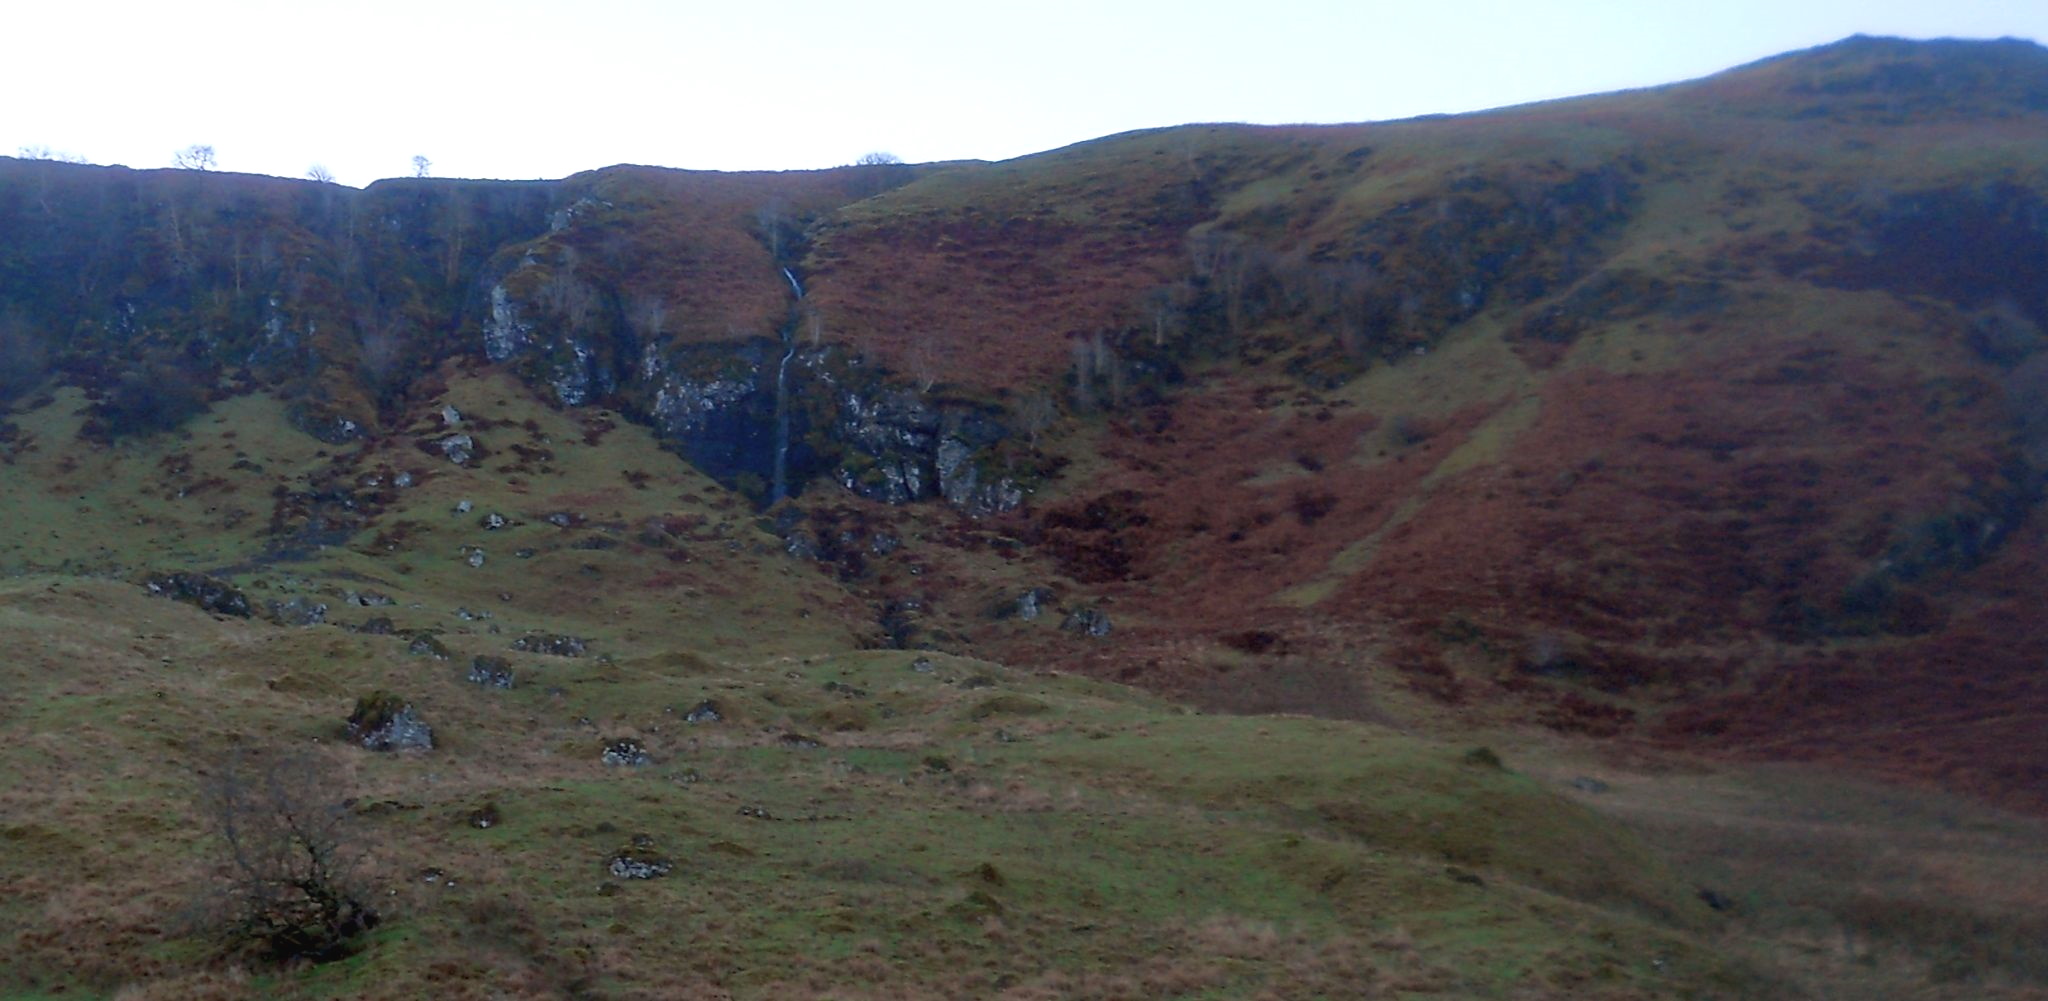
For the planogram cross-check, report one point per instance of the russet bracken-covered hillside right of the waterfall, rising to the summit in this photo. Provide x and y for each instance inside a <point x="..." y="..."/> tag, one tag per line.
<point x="1725" y="441"/>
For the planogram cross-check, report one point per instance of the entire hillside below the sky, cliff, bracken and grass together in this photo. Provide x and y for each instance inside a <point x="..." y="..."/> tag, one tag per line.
<point x="1480" y="556"/>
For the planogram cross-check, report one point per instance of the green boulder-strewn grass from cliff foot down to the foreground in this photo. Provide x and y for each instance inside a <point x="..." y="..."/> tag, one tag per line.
<point x="970" y="830"/>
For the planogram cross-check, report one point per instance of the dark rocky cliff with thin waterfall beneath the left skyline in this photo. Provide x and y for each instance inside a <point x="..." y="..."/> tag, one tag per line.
<point x="345" y="298"/>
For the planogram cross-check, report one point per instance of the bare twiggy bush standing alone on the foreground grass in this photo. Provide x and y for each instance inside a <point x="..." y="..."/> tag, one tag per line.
<point x="288" y="859"/>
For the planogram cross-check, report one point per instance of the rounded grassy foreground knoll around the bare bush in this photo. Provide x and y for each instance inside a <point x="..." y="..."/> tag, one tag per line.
<point x="1224" y="867"/>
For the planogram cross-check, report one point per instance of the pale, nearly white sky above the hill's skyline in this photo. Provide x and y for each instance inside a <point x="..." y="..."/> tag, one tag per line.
<point x="525" y="89"/>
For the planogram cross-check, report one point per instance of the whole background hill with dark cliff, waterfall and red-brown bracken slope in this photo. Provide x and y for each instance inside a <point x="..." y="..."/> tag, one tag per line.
<point x="1654" y="392"/>
